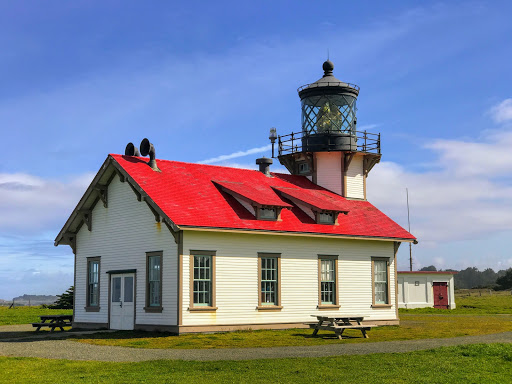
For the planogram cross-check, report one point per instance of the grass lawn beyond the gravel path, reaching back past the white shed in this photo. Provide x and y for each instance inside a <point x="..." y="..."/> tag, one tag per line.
<point x="475" y="315"/>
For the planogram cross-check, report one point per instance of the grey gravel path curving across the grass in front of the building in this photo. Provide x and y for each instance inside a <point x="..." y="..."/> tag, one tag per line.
<point x="44" y="347"/>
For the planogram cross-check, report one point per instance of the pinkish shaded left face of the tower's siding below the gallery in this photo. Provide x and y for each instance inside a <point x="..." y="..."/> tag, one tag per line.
<point x="328" y="171"/>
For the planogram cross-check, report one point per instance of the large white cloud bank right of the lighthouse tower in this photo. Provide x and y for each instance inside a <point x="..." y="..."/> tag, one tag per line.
<point x="466" y="196"/>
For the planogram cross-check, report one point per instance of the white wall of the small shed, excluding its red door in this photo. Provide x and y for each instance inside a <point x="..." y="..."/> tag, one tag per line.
<point x="411" y="295"/>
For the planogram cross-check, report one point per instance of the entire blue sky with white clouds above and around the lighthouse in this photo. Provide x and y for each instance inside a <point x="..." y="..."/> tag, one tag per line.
<point x="206" y="81"/>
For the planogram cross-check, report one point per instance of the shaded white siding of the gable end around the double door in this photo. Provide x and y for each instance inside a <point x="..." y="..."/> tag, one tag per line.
<point x="121" y="235"/>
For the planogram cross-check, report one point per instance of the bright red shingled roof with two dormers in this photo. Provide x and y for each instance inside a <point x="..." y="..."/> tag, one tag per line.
<point x="187" y="193"/>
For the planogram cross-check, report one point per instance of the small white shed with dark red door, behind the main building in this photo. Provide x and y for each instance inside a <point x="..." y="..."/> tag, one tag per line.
<point x="420" y="289"/>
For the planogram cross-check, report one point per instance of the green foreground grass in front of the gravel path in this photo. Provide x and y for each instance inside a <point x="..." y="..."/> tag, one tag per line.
<point x="483" y="363"/>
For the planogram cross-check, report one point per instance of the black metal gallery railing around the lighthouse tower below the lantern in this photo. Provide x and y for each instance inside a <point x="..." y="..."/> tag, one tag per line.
<point x="358" y="141"/>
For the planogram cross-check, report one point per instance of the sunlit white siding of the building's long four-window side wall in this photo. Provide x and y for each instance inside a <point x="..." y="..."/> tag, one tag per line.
<point x="237" y="277"/>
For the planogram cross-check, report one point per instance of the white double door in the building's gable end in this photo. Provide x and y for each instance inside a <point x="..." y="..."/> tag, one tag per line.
<point x="122" y="309"/>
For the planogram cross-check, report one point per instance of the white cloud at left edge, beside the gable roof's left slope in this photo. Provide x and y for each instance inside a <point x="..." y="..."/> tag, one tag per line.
<point x="31" y="204"/>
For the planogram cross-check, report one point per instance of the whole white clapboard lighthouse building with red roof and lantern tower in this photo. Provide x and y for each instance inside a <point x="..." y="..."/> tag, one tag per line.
<point x="181" y="247"/>
